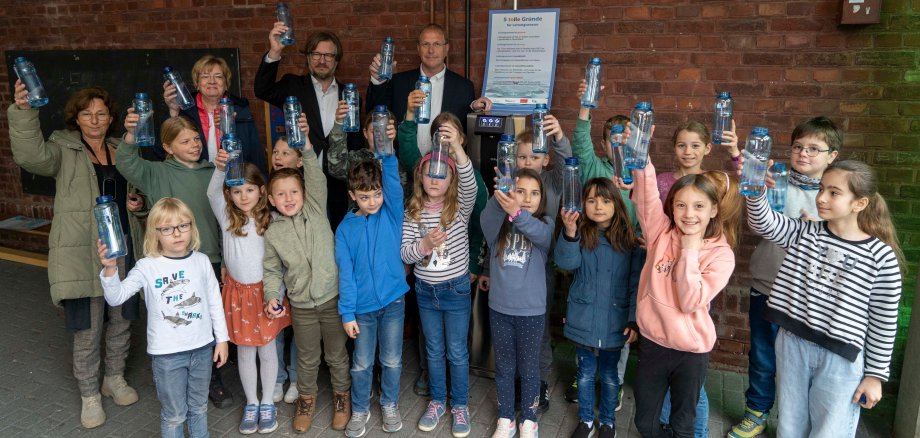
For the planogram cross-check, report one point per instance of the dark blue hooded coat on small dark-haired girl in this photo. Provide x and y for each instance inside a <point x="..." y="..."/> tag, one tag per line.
<point x="602" y="296"/>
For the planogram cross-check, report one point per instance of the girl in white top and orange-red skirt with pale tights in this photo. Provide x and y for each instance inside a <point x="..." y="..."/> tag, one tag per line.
<point x="243" y="214"/>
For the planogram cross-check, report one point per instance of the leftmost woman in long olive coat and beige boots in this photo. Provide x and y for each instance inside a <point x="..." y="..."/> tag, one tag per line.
<point x="81" y="159"/>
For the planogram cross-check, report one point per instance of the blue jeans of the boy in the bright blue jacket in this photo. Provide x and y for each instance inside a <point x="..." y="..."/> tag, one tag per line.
<point x="382" y="327"/>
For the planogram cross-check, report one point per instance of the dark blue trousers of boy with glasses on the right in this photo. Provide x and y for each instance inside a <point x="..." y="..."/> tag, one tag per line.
<point x="762" y="358"/>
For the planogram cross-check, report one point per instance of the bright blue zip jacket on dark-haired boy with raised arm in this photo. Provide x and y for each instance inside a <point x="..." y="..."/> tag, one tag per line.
<point x="371" y="273"/>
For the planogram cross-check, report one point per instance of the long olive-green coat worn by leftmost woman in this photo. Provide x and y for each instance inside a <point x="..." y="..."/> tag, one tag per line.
<point x="73" y="265"/>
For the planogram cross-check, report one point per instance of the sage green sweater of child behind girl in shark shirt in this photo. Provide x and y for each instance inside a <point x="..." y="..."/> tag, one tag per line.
<point x="170" y="178"/>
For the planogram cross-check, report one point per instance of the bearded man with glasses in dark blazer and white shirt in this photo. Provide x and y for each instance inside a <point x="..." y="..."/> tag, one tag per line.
<point x="318" y="92"/>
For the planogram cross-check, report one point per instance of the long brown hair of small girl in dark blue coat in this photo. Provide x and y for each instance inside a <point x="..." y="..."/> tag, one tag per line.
<point x="620" y="233"/>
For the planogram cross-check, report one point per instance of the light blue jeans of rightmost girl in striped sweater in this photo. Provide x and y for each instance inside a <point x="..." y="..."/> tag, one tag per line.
<point x="815" y="390"/>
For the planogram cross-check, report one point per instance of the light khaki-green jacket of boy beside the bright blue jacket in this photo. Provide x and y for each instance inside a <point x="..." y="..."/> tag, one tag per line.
<point x="304" y="245"/>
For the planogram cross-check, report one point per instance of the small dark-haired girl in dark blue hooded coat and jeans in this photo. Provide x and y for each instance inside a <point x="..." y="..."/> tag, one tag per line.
<point x="601" y="310"/>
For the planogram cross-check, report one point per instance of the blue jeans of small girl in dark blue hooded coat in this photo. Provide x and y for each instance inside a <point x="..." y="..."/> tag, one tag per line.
<point x="590" y="361"/>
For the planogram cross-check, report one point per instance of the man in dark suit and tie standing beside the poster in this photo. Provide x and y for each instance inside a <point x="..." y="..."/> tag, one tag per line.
<point x="460" y="100"/>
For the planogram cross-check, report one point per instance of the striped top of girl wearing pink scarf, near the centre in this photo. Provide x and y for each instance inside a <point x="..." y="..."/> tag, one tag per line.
<point x="452" y="259"/>
